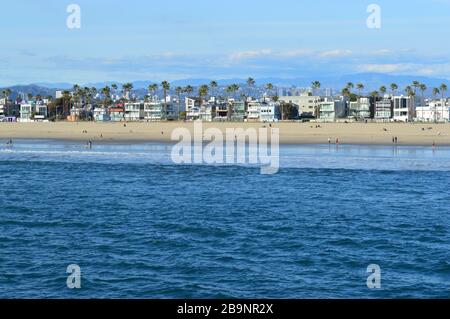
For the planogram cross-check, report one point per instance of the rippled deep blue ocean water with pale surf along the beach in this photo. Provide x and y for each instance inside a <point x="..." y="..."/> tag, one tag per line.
<point x="141" y="227"/>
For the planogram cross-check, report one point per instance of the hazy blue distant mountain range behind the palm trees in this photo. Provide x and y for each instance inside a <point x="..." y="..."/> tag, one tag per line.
<point x="371" y="81"/>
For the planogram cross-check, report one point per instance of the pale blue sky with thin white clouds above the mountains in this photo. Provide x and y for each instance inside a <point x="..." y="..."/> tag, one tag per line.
<point x="174" y="39"/>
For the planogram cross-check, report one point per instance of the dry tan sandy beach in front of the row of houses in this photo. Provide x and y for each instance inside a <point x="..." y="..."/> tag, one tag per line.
<point x="290" y="133"/>
